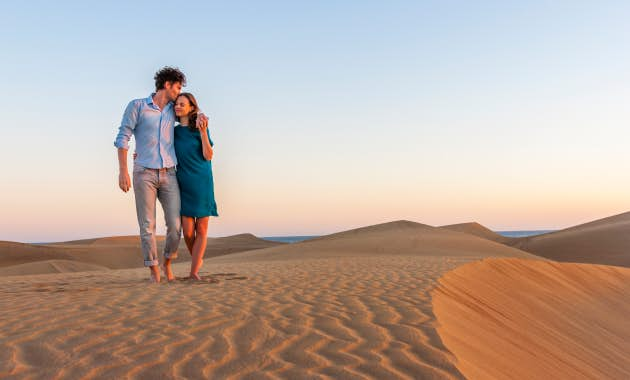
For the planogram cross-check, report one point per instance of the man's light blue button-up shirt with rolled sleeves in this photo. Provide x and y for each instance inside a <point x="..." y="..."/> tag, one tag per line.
<point x="153" y="130"/>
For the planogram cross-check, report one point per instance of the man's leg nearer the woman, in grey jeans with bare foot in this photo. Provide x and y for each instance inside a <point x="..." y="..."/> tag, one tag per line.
<point x="169" y="197"/>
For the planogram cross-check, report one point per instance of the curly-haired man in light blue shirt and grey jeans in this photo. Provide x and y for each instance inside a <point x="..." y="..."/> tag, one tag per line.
<point x="151" y="121"/>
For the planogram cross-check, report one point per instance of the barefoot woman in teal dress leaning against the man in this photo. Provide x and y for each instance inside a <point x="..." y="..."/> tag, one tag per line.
<point x="193" y="148"/>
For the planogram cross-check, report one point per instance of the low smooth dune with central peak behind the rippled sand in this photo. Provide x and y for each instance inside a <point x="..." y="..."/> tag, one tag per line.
<point x="394" y="238"/>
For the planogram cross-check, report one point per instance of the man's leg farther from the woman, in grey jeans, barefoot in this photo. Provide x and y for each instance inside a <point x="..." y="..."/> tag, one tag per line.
<point x="145" y="190"/>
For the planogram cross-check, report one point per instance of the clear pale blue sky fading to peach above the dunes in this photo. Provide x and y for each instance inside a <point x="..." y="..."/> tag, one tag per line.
<point x="326" y="115"/>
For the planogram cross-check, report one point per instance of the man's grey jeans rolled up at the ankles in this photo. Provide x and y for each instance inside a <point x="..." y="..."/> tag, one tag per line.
<point x="149" y="185"/>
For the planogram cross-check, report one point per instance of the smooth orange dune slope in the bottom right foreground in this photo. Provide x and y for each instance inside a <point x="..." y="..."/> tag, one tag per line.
<point x="525" y="319"/>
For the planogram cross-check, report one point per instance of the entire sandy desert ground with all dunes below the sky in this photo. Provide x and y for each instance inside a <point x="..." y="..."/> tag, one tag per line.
<point x="400" y="300"/>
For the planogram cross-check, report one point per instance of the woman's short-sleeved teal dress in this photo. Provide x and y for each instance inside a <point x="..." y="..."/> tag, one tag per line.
<point x="194" y="174"/>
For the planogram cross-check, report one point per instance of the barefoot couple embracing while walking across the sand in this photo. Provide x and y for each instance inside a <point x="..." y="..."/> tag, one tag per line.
<point x="172" y="164"/>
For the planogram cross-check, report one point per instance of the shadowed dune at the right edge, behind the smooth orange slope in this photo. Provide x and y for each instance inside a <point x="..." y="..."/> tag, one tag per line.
<point x="605" y="241"/>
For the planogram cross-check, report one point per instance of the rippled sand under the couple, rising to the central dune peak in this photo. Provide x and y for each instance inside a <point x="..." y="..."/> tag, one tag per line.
<point x="357" y="310"/>
